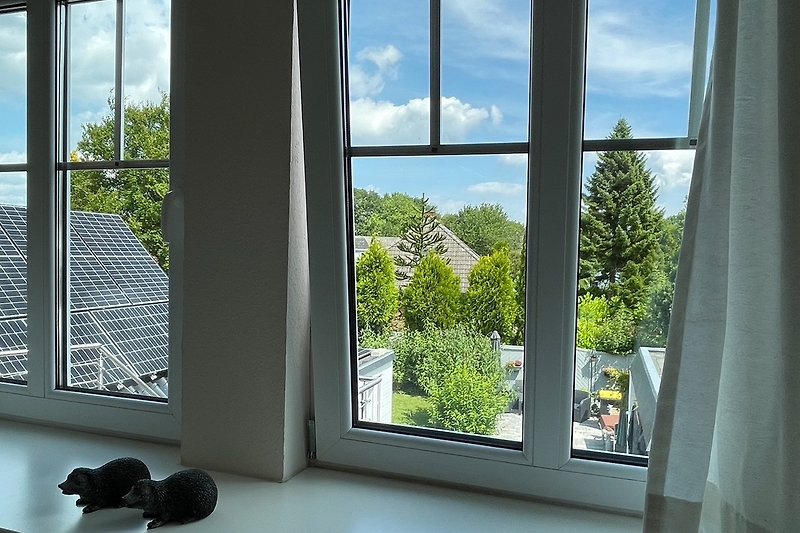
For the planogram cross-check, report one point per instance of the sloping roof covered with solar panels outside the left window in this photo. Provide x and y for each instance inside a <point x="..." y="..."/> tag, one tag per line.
<point x="118" y="305"/>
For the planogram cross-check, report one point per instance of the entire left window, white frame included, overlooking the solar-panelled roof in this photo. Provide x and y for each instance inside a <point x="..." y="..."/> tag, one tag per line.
<point x="86" y="231"/>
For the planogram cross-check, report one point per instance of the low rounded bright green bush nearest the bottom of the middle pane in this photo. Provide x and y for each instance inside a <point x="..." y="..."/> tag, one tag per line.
<point x="467" y="401"/>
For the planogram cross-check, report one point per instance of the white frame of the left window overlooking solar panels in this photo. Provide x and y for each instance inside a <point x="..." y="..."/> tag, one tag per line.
<point x="39" y="399"/>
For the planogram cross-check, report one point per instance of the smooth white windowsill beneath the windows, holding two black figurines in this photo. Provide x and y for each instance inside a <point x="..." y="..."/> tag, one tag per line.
<point x="35" y="459"/>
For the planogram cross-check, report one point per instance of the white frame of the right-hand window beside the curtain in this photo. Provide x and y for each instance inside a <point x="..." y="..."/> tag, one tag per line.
<point x="544" y="467"/>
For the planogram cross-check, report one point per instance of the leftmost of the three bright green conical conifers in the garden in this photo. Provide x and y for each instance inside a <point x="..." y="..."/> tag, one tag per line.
<point x="377" y="296"/>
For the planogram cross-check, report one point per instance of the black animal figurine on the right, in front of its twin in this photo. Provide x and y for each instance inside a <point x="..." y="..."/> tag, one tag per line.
<point x="183" y="497"/>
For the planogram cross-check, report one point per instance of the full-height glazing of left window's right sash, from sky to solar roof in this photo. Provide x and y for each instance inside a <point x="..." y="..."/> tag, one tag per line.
<point x="116" y="160"/>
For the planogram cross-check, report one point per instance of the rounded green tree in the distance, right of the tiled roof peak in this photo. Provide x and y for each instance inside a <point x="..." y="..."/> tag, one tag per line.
<point x="483" y="227"/>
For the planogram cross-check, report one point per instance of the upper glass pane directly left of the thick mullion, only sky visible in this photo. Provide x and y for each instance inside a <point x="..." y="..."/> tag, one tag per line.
<point x="485" y="71"/>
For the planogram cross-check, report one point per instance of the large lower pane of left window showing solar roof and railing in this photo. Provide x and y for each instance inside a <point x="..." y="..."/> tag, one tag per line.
<point x="118" y="283"/>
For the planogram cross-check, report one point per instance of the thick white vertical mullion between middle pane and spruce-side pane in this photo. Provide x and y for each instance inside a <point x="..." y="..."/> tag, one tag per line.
<point x="557" y="76"/>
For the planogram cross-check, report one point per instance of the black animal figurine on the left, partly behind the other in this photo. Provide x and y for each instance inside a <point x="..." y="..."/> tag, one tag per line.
<point x="104" y="487"/>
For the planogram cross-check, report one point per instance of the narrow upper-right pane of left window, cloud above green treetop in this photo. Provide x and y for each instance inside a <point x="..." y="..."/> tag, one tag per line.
<point x="147" y="55"/>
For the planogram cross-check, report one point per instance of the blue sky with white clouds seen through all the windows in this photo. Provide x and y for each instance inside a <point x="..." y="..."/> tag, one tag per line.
<point x="639" y="64"/>
